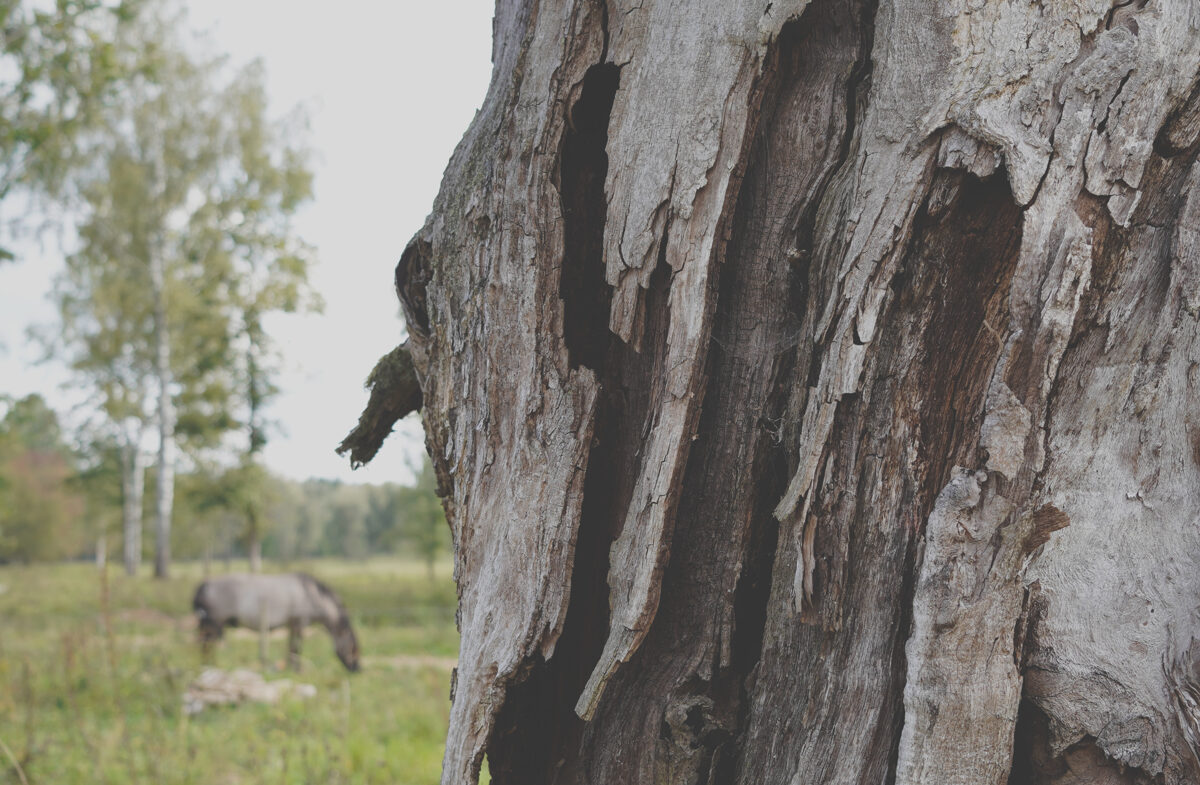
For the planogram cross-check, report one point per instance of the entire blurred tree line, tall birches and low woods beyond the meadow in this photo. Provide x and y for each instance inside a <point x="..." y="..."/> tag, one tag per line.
<point x="175" y="187"/>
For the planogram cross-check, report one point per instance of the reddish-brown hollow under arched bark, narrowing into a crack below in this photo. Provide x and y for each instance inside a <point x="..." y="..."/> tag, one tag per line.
<point x="953" y="291"/>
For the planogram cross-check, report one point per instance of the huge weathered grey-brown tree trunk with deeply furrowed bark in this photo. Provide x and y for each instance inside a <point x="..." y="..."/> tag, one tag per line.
<point x="813" y="391"/>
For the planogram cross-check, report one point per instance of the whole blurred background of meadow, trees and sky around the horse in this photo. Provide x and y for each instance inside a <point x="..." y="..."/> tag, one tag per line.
<point x="201" y="208"/>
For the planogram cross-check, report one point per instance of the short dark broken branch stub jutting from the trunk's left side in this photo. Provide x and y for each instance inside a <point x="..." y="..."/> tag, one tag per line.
<point x="395" y="393"/>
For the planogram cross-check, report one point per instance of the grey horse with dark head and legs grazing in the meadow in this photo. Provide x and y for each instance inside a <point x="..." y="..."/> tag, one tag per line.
<point x="269" y="602"/>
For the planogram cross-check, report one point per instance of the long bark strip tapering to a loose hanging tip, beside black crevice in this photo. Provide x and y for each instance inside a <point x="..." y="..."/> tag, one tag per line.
<point x="679" y="219"/>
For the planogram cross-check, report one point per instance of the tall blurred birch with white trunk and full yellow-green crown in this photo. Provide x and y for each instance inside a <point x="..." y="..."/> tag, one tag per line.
<point x="185" y="249"/>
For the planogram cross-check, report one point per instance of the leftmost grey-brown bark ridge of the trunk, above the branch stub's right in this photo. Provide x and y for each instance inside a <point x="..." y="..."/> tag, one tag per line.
<point x="501" y="399"/>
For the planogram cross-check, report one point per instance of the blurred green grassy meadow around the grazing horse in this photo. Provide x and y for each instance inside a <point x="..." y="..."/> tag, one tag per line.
<point x="91" y="691"/>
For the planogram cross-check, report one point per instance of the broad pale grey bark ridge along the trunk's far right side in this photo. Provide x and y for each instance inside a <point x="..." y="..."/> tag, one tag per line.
<point x="1131" y="355"/>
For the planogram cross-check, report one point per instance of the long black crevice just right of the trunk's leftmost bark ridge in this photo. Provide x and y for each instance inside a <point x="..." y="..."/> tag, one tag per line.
<point x="521" y="751"/>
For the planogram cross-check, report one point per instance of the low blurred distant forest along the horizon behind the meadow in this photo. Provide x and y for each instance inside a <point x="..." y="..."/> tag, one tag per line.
<point x="61" y="501"/>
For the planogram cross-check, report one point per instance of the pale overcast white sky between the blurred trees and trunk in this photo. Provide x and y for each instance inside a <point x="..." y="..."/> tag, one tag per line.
<point x="391" y="87"/>
